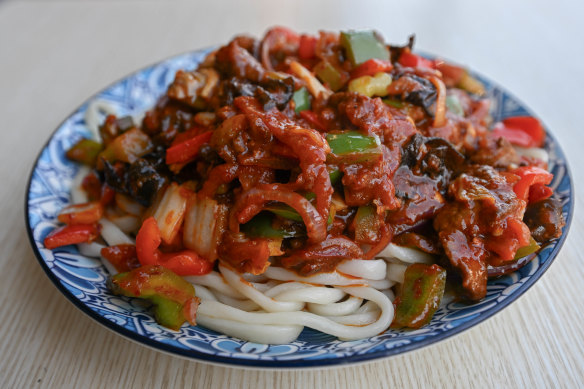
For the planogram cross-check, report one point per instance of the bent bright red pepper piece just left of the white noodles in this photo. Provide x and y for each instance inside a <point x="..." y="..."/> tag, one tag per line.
<point x="183" y="263"/>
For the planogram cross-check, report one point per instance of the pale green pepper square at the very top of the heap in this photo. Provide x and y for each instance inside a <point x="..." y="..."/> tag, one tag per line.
<point x="361" y="46"/>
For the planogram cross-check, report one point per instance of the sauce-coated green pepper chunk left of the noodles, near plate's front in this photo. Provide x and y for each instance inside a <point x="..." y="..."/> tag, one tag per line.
<point x="173" y="298"/>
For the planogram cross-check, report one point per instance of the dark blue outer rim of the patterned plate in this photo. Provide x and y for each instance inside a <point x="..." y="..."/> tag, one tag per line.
<point x="261" y="364"/>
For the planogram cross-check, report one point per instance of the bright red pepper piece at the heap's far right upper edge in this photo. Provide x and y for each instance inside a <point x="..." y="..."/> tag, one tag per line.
<point x="523" y="131"/>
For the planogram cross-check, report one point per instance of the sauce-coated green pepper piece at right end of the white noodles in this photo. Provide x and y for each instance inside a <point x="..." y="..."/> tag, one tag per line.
<point x="420" y="295"/>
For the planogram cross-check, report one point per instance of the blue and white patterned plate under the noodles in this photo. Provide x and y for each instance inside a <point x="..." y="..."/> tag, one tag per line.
<point x="83" y="280"/>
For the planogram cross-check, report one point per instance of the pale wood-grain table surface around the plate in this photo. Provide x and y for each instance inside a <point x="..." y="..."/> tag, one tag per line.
<point x="55" y="54"/>
